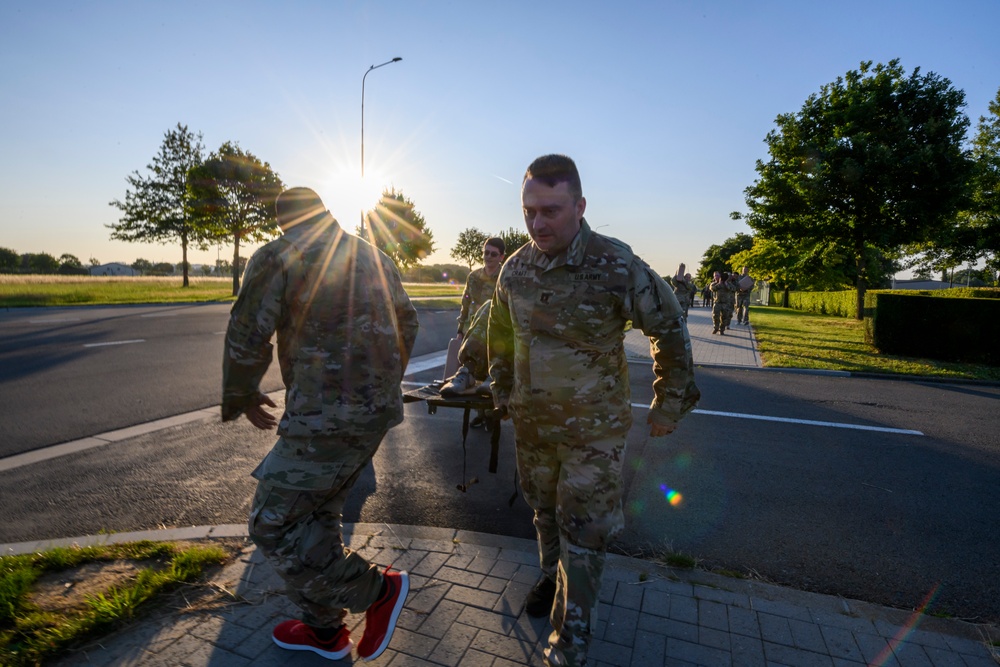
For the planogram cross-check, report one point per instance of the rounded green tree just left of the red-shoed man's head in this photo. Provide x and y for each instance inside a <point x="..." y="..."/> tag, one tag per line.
<point x="233" y="195"/>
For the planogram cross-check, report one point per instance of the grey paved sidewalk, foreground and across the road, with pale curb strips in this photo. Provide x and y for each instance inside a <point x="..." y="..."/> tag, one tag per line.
<point x="468" y="590"/>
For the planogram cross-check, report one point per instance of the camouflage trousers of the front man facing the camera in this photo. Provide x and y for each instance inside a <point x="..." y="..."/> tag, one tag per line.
<point x="574" y="487"/>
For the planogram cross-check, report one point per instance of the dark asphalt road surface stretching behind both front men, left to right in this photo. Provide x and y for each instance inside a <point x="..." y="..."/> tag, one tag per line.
<point x="879" y="490"/>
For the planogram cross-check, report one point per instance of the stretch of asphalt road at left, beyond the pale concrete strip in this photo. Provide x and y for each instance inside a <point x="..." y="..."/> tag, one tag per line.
<point x="67" y="373"/>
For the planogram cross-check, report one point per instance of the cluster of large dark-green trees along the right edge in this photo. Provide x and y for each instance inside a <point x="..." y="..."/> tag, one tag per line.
<point x="871" y="176"/>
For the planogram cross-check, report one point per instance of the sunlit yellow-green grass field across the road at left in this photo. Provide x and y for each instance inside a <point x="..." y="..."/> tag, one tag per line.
<point x="35" y="291"/>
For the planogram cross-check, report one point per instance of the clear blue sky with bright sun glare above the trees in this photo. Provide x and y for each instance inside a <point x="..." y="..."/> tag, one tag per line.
<point x="664" y="105"/>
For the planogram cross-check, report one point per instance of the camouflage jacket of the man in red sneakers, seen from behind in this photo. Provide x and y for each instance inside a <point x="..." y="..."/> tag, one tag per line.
<point x="345" y="331"/>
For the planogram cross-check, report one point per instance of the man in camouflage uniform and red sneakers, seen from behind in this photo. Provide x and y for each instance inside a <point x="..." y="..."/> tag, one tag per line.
<point x="345" y="330"/>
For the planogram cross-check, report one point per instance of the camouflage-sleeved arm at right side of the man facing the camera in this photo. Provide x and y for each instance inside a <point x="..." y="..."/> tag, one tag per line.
<point x="655" y="311"/>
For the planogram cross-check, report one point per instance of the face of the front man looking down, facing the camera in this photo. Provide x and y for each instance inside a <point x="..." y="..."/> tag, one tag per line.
<point x="551" y="214"/>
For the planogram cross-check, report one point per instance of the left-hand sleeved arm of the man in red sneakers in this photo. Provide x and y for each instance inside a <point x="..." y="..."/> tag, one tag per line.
<point x="252" y="321"/>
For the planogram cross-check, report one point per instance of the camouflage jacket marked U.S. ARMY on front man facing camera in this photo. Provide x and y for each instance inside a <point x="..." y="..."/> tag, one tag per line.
<point x="566" y="319"/>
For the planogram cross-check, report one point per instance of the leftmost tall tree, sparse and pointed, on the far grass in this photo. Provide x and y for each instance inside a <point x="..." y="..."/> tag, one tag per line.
<point x="157" y="206"/>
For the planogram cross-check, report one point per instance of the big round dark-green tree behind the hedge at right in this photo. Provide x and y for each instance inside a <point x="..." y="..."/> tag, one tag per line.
<point x="874" y="160"/>
